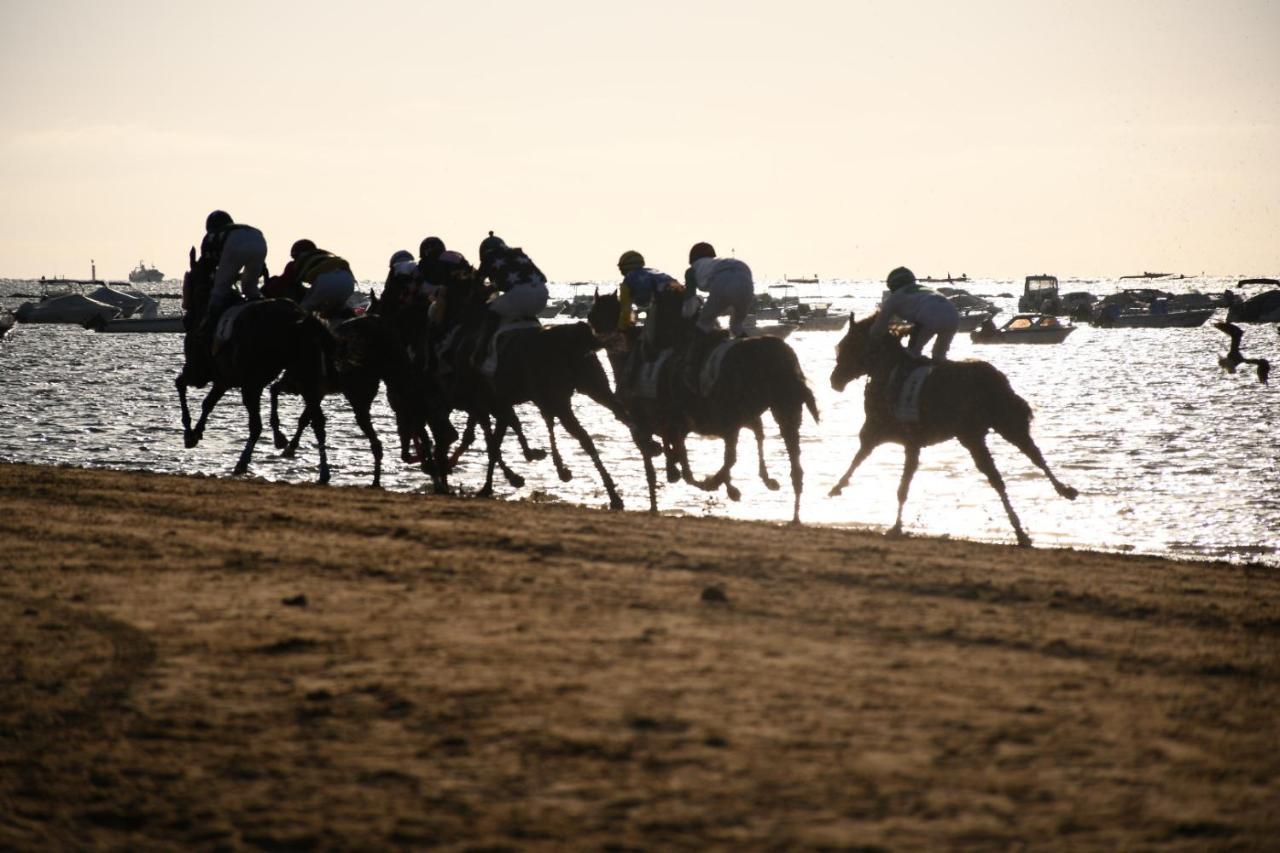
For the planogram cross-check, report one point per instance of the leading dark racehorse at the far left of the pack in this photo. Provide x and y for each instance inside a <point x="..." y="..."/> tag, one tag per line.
<point x="267" y="339"/>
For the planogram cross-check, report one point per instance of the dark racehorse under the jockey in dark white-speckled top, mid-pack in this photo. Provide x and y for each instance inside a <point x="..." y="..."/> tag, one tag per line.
<point x="545" y="367"/>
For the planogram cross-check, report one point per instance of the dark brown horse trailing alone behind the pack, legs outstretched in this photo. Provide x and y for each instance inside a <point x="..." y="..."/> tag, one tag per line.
<point x="962" y="400"/>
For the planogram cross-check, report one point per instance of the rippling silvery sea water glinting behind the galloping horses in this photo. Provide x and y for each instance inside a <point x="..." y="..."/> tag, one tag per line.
<point x="1171" y="455"/>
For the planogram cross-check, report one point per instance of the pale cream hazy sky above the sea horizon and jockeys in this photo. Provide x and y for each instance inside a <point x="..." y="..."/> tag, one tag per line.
<point x="998" y="139"/>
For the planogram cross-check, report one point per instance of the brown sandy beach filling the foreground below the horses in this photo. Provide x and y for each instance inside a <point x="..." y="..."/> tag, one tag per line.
<point x="220" y="664"/>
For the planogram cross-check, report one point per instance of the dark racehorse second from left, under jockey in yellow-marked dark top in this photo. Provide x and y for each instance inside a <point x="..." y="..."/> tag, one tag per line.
<point x="368" y="354"/>
